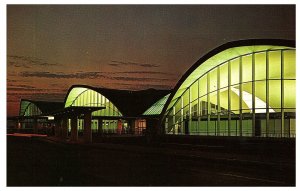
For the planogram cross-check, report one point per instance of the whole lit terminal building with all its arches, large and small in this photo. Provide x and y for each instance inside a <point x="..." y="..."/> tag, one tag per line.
<point x="245" y="88"/>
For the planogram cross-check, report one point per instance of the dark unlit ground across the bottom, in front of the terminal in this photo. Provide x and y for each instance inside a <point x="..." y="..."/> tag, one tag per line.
<point x="40" y="161"/>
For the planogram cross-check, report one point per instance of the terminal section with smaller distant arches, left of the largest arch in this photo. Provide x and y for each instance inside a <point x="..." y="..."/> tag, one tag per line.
<point x="89" y="110"/>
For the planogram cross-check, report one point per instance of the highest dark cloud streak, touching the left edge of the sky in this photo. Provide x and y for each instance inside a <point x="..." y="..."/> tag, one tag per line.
<point x="27" y="62"/>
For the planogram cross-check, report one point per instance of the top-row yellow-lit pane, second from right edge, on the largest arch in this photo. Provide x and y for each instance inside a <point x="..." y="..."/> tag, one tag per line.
<point x="274" y="64"/>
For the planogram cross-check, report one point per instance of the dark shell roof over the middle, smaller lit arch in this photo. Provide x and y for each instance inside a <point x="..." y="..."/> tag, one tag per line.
<point x="129" y="103"/>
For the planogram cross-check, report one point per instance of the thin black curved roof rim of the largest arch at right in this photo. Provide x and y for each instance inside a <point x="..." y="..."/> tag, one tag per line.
<point x="223" y="47"/>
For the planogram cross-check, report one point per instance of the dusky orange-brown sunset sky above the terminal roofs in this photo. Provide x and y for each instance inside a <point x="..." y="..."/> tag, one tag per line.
<point x="50" y="48"/>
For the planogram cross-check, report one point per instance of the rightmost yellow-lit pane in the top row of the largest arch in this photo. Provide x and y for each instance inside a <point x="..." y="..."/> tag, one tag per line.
<point x="289" y="64"/>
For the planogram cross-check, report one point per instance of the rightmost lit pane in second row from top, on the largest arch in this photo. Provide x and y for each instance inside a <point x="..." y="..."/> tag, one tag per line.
<point x="289" y="93"/>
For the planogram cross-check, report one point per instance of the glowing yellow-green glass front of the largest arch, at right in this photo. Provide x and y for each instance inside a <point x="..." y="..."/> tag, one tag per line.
<point x="240" y="91"/>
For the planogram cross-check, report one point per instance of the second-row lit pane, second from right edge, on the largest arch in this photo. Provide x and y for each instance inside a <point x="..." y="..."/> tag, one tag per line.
<point x="275" y="95"/>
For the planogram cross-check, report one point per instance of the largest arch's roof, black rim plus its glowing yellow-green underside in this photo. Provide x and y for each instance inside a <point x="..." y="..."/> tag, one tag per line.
<point x="219" y="55"/>
